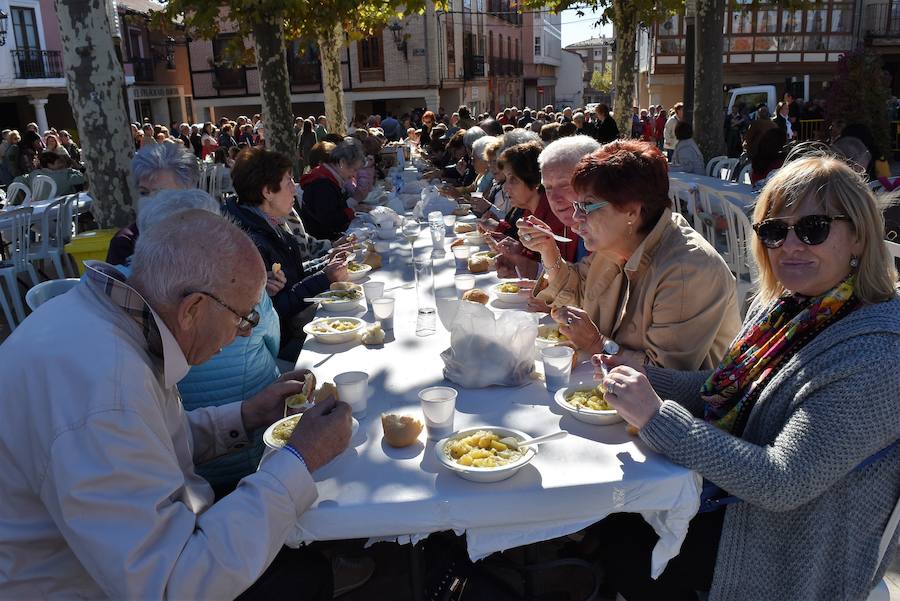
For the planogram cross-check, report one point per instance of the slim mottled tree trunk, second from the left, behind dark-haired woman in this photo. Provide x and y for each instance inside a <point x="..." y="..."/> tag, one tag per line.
<point x="274" y="85"/>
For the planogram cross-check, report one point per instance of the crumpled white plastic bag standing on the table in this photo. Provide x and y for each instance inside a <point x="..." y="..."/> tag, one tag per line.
<point x="488" y="350"/>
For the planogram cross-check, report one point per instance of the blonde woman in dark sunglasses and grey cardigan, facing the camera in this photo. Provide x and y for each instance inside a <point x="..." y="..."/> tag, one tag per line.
<point x="796" y="430"/>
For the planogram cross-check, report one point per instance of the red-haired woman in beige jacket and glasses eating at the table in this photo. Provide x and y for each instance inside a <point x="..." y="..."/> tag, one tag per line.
<point x="652" y="284"/>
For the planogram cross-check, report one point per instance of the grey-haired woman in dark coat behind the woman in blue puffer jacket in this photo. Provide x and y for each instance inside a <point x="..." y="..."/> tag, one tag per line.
<point x="154" y="167"/>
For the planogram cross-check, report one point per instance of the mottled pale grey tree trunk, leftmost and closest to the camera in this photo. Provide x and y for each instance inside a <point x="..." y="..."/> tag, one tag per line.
<point x="95" y="82"/>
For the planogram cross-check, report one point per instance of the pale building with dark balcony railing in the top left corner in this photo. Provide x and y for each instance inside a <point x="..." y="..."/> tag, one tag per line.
<point x="32" y="79"/>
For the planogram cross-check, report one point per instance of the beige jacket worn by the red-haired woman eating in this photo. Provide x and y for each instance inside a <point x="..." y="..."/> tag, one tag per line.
<point x="675" y="298"/>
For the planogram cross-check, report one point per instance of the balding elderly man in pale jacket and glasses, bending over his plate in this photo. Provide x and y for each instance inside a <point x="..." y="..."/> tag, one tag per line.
<point x="100" y="497"/>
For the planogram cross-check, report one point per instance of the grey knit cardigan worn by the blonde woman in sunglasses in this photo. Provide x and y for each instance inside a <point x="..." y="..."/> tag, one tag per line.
<point x="810" y="525"/>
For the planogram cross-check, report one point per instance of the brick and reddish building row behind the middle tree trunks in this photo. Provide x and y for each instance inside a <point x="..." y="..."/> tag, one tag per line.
<point x="434" y="60"/>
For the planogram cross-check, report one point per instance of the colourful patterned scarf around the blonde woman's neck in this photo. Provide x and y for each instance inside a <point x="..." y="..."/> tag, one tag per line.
<point x="781" y="330"/>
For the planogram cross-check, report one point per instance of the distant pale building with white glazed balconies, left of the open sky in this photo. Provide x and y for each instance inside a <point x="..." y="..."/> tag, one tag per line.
<point x="543" y="57"/>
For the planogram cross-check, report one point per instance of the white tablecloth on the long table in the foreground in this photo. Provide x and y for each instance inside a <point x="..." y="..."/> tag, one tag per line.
<point x="377" y="492"/>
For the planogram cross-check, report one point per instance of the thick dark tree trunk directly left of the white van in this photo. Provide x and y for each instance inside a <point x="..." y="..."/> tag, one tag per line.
<point x="709" y="117"/>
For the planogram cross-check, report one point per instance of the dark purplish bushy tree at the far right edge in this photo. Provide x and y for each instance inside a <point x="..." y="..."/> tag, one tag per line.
<point x="859" y="93"/>
